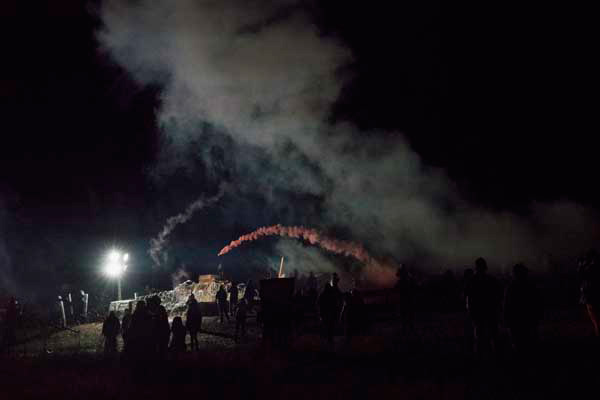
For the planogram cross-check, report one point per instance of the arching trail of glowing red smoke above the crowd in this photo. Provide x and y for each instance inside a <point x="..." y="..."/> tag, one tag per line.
<point x="346" y="248"/>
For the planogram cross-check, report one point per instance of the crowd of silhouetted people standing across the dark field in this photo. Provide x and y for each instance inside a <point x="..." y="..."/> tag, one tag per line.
<point x="486" y="303"/>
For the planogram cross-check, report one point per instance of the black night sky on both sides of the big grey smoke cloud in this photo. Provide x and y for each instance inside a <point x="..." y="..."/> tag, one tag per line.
<point x="497" y="96"/>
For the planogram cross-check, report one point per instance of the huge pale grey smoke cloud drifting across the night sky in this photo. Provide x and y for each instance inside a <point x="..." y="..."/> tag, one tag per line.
<point x="260" y="74"/>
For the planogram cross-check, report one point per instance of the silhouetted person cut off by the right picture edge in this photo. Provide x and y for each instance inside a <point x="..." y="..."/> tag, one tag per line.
<point x="589" y="272"/>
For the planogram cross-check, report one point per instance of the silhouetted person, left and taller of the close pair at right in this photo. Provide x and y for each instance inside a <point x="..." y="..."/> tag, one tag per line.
<point x="484" y="307"/>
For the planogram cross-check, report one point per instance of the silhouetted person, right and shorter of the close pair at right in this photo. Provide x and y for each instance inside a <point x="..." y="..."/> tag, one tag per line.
<point x="522" y="310"/>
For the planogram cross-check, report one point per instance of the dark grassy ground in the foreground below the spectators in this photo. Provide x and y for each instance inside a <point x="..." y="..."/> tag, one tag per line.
<point x="431" y="363"/>
